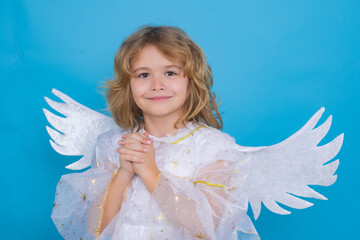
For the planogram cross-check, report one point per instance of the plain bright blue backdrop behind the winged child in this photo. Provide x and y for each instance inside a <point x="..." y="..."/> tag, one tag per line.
<point x="275" y="63"/>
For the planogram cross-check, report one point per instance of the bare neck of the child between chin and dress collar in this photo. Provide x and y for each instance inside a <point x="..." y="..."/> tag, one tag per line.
<point x="160" y="127"/>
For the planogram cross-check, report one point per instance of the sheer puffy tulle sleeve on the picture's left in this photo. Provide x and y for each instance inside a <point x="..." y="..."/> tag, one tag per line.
<point x="77" y="210"/>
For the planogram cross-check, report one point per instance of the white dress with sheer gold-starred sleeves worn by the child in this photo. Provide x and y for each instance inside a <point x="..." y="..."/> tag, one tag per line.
<point x="198" y="194"/>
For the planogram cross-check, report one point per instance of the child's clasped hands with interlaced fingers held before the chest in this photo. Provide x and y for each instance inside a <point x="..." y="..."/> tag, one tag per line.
<point x="137" y="156"/>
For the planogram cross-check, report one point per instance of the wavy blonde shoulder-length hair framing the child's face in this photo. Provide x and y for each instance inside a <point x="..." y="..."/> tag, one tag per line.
<point x="174" y="43"/>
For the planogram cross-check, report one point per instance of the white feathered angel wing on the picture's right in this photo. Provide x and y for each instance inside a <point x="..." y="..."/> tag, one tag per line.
<point x="280" y="171"/>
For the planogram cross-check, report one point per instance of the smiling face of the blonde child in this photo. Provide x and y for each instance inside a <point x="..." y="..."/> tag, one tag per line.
<point x="158" y="84"/>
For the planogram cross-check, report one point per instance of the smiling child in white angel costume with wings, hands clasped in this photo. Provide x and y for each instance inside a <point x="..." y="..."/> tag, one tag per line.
<point x="166" y="171"/>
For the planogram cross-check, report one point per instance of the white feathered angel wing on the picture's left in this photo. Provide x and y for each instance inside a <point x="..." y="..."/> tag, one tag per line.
<point x="76" y="134"/>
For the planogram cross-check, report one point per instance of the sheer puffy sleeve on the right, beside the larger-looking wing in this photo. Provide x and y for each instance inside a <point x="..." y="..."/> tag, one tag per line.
<point x="208" y="206"/>
